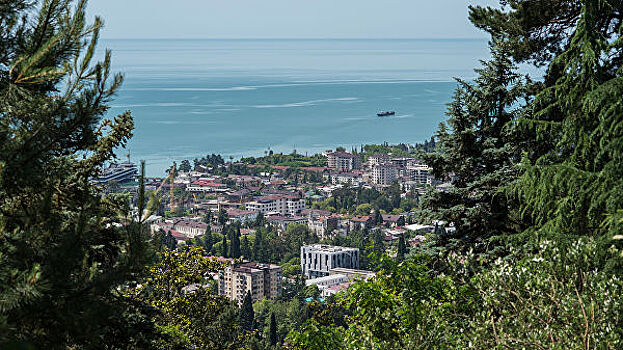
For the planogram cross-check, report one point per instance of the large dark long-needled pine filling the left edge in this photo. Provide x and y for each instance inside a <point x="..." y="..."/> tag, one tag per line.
<point x="62" y="252"/>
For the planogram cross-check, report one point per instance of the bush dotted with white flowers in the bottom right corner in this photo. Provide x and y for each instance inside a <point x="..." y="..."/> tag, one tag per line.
<point x="558" y="298"/>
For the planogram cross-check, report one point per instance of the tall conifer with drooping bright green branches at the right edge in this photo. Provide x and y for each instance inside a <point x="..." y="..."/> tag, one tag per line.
<point x="578" y="183"/>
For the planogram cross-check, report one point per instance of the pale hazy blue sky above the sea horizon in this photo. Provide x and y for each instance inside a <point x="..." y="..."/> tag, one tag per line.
<point x="286" y="18"/>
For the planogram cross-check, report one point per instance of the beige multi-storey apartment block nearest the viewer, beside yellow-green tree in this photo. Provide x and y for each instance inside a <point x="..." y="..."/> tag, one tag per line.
<point x="262" y="281"/>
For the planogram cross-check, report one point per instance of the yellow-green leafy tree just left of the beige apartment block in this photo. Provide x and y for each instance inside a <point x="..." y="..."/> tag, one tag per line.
<point x="189" y="313"/>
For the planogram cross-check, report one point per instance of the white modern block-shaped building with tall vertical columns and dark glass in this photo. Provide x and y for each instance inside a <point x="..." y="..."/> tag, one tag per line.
<point x="318" y="259"/>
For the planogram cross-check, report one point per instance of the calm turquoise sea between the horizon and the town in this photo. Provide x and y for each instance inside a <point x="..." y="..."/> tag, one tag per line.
<point x="242" y="97"/>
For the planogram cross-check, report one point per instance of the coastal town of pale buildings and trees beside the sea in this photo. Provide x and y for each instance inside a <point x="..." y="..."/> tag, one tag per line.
<point x="281" y="219"/>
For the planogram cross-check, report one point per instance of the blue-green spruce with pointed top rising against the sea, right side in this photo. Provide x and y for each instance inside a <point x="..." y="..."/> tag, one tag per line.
<point x="479" y="146"/>
